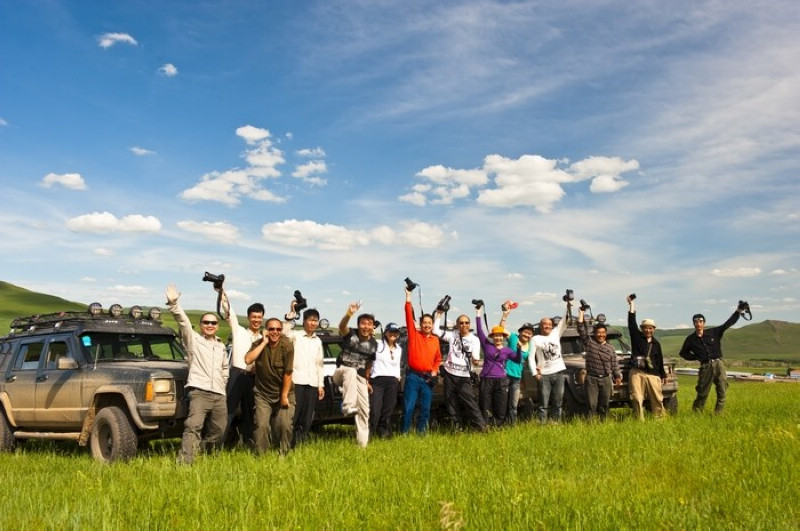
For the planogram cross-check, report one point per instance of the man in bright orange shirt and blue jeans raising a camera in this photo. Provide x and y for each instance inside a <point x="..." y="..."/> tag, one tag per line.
<point x="424" y="358"/>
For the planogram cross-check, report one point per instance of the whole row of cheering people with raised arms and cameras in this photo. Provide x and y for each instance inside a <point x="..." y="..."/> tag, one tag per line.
<point x="274" y="377"/>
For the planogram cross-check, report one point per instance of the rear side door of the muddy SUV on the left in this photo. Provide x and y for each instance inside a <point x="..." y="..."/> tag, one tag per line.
<point x="20" y="383"/>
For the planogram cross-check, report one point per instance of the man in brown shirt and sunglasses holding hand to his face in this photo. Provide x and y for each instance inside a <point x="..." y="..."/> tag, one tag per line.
<point x="273" y="357"/>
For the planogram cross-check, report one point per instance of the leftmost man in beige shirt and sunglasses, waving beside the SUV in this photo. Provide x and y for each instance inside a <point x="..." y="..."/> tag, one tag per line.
<point x="205" y="385"/>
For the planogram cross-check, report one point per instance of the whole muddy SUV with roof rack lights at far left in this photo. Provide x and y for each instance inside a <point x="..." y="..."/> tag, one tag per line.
<point x="103" y="379"/>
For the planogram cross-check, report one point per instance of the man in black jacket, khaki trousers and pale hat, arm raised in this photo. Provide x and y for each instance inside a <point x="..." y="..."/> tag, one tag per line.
<point x="647" y="372"/>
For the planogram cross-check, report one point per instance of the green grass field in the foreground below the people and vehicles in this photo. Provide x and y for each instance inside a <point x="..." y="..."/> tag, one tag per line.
<point x="737" y="471"/>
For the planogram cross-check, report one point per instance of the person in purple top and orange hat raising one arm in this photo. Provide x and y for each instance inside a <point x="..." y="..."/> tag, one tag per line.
<point x="494" y="382"/>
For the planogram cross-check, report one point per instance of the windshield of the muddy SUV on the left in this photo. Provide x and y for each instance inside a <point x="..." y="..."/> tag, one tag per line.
<point x="124" y="347"/>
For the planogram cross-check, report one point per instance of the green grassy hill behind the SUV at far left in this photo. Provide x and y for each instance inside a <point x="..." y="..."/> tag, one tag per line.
<point x="18" y="302"/>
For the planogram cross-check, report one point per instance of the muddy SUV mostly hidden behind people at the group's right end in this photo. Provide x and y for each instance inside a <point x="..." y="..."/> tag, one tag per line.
<point x="575" y="400"/>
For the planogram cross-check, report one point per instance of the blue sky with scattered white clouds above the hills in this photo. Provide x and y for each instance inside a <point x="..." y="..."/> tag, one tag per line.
<point x="485" y="149"/>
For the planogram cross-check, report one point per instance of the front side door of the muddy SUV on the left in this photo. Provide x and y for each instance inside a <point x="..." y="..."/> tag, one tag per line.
<point x="59" y="400"/>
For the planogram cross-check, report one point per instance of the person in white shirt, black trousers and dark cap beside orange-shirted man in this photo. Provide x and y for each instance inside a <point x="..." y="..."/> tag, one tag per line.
<point x="385" y="382"/>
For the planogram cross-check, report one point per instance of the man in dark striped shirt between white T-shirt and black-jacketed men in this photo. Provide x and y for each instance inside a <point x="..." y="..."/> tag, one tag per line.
<point x="602" y="369"/>
